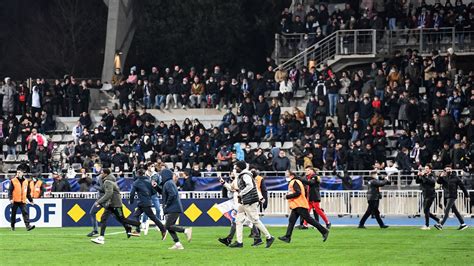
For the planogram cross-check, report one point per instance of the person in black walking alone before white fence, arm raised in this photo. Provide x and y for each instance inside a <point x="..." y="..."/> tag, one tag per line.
<point x="373" y="198"/>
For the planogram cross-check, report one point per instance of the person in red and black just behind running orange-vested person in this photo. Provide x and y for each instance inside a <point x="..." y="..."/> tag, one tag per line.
<point x="312" y="181"/>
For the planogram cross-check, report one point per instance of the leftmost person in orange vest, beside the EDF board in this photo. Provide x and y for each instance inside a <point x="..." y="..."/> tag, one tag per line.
<point x="18" y="192"/>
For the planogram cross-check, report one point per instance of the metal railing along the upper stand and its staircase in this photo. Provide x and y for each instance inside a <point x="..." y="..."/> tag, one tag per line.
<point x="289" y="52"/>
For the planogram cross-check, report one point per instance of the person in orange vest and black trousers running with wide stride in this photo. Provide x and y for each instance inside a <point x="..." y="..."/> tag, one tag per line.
<point x="299" y="207"/>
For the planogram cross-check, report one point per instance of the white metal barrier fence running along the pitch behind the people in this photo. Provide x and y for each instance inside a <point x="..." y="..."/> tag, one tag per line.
<point x="341" y="203"/>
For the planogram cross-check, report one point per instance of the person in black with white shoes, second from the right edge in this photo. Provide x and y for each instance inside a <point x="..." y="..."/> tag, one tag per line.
<point x="427" y="183"/>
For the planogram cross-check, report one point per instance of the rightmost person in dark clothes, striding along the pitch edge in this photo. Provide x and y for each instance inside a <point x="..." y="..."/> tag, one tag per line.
<point x="451" y="182"/>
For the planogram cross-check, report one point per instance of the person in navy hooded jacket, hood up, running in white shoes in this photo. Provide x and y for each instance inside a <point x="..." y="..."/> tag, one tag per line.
<point x="172" y="207"/>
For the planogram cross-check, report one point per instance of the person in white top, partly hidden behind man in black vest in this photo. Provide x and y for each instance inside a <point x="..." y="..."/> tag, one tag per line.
<point x="231" y="189"/>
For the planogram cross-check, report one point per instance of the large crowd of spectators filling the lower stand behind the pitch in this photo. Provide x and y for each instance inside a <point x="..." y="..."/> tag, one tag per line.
<point x="425" y="105"/>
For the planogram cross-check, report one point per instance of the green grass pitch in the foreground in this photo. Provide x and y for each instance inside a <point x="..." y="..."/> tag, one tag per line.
<point x="346" y="245"/>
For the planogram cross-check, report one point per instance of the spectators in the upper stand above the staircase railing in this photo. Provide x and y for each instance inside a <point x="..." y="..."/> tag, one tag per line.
<point x="316" y="22"/>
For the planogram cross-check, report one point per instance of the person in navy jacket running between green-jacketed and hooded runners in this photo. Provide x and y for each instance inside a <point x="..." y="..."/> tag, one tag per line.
<point x="143" y="188"/>
